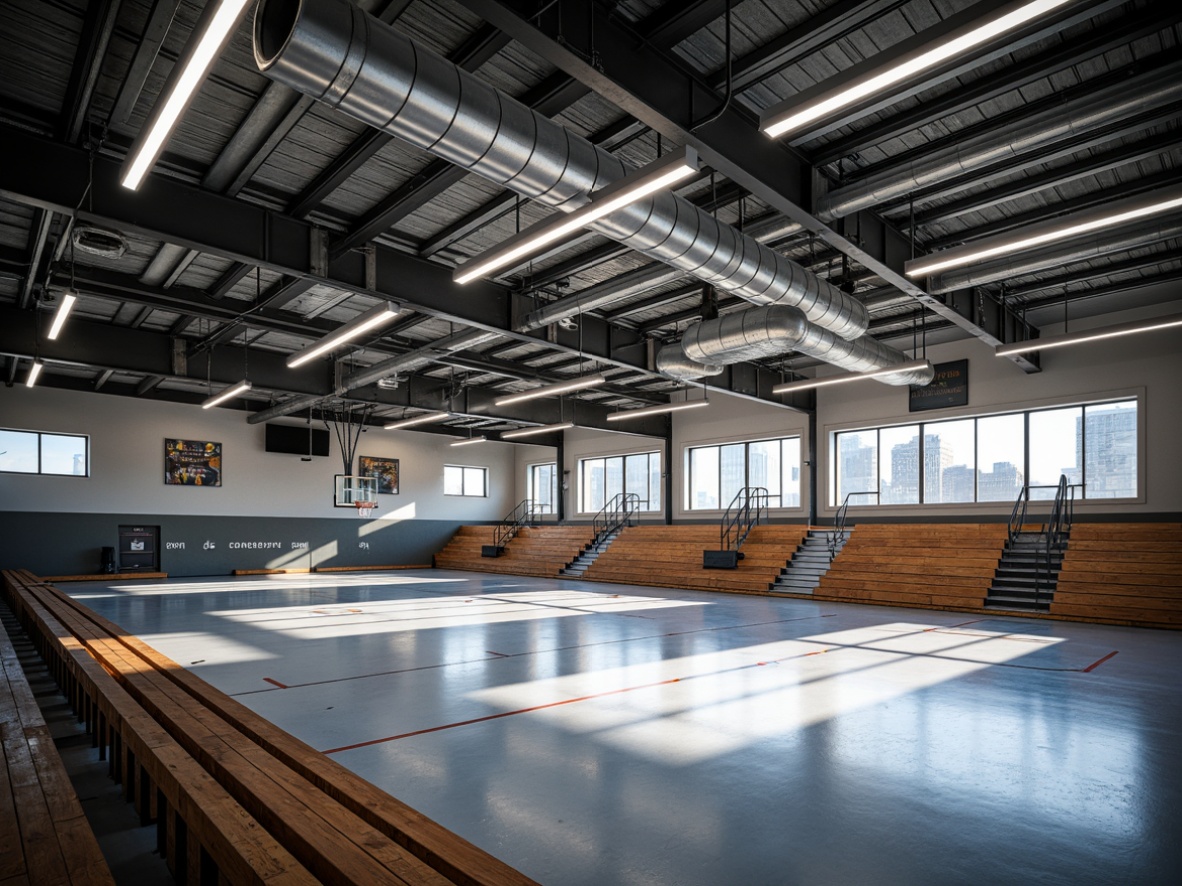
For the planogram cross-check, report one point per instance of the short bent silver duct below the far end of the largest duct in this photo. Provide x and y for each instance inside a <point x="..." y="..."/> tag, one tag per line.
<point x="777" y="330"/>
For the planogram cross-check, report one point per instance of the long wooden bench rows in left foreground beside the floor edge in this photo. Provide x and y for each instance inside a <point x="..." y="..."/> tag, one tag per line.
<point x="224" y="784"/>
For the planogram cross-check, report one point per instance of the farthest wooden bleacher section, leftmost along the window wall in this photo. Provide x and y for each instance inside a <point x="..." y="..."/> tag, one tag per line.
<point x="535" y="551"/>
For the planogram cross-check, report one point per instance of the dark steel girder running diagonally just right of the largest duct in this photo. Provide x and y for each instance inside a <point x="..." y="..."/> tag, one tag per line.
<point x="658" y="92"/>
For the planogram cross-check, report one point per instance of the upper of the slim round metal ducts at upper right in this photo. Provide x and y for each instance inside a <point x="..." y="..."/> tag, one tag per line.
<point x="1075" y="118"/>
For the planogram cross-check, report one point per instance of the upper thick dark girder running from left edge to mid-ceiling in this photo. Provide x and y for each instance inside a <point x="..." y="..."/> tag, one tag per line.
<point x="41" y="173"/>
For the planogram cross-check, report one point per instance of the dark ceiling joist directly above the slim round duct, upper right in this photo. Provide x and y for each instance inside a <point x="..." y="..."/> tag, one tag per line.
<point x="989" y="88"/>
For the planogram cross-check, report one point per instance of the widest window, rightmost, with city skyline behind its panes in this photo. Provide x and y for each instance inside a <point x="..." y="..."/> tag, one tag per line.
<point x="992" y="458"/>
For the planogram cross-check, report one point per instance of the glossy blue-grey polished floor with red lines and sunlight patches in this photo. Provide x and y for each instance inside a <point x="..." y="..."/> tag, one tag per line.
<point x="594" y="735"/>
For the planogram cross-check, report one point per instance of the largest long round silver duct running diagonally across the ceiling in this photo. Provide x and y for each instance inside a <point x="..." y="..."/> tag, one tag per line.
<point x="333" y="51"/>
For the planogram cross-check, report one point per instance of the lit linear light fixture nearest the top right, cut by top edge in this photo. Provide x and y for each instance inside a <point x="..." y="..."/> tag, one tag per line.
<point x="814" y="105"/>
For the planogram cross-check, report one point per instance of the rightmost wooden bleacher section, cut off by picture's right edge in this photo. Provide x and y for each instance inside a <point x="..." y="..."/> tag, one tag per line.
<point x="1122" y="574"/>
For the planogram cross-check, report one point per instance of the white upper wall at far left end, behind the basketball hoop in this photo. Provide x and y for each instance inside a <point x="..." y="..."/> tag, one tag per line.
<point x="128" y="465"/>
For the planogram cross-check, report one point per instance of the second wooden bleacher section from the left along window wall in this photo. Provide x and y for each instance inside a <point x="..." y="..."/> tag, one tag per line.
<point x="672" y="557"/>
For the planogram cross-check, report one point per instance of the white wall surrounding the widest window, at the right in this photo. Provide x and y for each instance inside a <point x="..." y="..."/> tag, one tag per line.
<point x="1148" y="367"/>
